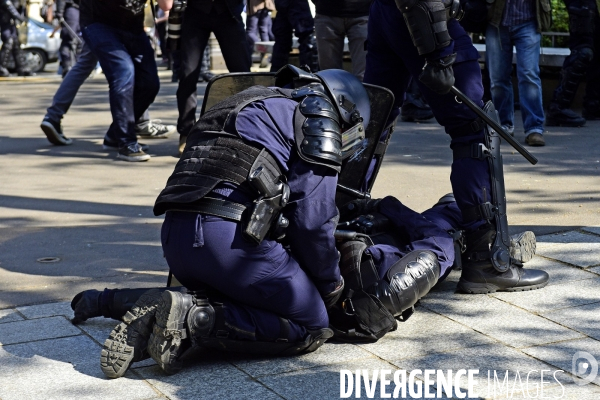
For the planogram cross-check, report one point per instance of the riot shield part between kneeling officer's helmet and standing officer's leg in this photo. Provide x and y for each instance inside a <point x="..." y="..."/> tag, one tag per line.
<point x="360" y="170"/>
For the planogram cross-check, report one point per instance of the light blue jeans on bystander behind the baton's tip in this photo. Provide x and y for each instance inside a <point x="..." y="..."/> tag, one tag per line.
<point x="499" y="45"/>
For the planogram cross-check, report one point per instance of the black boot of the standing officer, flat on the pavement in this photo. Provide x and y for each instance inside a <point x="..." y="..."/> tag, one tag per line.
<point x="479" y="276"/>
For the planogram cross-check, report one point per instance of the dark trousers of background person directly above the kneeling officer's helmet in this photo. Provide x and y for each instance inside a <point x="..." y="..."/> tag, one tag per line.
<point x="293" y="17"/>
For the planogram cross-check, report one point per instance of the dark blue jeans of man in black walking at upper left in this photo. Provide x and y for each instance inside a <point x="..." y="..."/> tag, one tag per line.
<point x="127" y="60"/>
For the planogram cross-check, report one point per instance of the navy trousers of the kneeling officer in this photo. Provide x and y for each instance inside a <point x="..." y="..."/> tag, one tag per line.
<point x="264" y="282"/>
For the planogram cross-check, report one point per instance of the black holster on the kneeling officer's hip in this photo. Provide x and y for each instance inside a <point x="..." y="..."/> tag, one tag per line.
<point x="273" y="195"/>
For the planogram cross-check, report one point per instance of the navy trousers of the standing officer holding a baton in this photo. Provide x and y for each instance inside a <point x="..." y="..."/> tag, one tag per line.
<point x="392" y="59"/>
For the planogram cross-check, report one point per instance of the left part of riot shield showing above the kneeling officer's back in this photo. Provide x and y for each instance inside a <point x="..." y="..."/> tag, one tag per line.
<point x="224" y="86"/>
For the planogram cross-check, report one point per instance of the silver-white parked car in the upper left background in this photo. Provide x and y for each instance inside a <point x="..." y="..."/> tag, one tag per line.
<point x="41" y="47"/>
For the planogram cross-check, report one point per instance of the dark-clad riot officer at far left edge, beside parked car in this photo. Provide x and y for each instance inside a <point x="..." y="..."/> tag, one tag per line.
<point x="11" y="11"/>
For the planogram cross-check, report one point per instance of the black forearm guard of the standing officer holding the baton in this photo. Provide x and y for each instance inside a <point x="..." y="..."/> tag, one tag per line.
<point x="426" y="21"/>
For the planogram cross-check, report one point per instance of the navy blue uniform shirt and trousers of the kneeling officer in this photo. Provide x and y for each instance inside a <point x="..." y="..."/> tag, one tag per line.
<point x="265" y="281"/>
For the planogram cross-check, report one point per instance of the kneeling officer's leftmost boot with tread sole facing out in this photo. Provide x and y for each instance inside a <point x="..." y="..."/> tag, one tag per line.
<point x="128" y="342"/>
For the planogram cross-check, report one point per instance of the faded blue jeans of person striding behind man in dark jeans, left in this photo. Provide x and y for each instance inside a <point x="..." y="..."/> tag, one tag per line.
<point x="64" y="96"/>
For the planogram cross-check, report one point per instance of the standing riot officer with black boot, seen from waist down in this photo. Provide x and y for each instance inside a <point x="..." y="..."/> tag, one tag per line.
<point x="422" y="39"/>
